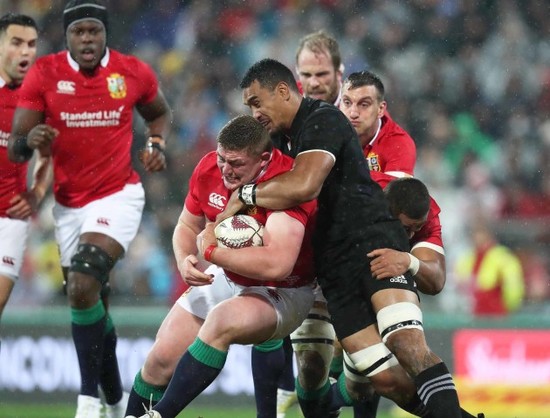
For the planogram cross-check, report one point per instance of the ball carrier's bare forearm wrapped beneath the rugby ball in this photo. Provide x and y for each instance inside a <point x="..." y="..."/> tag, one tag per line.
<point x="254" y="262"/>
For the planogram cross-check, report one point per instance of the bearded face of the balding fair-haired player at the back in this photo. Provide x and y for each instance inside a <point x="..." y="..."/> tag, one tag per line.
<point x="319" y="78"/>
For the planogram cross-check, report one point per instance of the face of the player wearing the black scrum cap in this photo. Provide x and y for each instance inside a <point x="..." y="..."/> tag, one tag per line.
<point x="87" y="41"/>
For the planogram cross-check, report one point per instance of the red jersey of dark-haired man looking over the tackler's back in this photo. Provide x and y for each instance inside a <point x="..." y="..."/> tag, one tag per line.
<point x="392" y="150"/>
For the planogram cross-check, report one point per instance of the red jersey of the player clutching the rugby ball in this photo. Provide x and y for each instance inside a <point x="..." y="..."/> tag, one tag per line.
<point x="208" y="196"/>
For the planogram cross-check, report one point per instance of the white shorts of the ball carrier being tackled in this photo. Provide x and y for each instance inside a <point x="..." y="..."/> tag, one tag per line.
<point x="291" y="304"/>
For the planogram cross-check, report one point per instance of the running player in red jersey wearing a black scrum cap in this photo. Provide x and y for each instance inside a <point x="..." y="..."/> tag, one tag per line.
<point x="78" y="105"/>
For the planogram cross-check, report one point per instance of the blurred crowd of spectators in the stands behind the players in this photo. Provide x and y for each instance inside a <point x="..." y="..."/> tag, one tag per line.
<point x="469" y="79"/>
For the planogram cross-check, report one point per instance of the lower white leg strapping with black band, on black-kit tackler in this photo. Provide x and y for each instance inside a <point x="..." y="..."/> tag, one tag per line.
<point x="365" y="363"/>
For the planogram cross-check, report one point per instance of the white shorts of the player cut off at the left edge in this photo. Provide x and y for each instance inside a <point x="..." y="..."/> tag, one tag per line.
<point x="13" y="241"/>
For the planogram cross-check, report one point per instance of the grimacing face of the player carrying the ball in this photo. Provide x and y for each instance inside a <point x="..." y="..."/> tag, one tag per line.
<point x="239" y="167"/>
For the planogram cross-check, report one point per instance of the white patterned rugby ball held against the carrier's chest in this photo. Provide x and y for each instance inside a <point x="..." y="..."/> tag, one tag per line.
<point x="239" y="231"/>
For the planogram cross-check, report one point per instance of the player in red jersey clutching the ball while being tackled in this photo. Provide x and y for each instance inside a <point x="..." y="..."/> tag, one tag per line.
<point x="255" y="295"/>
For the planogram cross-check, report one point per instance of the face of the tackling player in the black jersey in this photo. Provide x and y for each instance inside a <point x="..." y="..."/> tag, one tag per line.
<point x="267" y="106"/>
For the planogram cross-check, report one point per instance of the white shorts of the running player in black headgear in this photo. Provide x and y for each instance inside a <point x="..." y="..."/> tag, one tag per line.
<point x="117" y="216"/>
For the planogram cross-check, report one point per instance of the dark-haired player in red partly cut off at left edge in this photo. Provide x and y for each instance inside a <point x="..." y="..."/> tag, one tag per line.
<point x="18" y="38"/>
